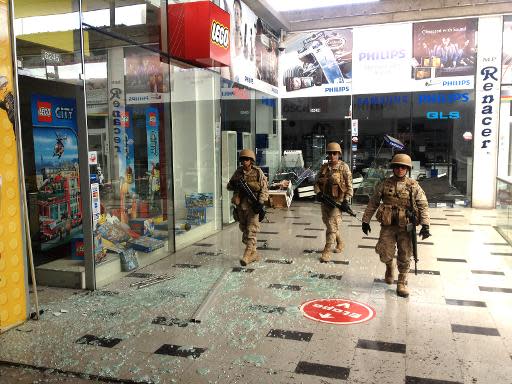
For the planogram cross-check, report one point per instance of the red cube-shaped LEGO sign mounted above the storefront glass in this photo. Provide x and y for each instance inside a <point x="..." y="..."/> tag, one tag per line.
<point x="199" y="33"/>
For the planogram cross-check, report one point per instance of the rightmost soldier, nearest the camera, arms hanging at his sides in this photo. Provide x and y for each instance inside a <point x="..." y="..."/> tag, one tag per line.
<point x="392" y="215"/>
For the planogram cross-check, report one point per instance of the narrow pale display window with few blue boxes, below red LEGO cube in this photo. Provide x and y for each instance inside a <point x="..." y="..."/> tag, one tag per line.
<point x="196" y="140"/>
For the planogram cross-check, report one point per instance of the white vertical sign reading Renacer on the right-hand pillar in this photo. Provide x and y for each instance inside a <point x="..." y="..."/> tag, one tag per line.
<point x="487" y="106"/>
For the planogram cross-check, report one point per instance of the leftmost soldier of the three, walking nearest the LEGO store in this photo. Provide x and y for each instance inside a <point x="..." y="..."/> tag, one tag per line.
<point x="245" y="209"/>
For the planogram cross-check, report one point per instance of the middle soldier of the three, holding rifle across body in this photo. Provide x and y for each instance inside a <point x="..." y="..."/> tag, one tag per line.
<point x="335" y="180"/>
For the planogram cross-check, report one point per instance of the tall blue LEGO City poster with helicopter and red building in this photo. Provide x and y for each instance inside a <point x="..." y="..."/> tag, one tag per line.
<point x="56" y="163"/>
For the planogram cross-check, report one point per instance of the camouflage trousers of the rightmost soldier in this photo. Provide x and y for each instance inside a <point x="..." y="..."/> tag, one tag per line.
<point x="391" y="236"/>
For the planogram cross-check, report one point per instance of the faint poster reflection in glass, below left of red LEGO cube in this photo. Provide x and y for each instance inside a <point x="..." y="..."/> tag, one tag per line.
<point x="145" y="79"/>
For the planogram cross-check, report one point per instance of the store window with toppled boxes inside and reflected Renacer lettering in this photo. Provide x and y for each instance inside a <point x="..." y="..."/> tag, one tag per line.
<point x="128" y="106"/>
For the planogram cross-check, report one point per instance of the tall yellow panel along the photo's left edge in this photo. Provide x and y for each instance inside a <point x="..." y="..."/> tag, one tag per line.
<point x="13" y="288"/>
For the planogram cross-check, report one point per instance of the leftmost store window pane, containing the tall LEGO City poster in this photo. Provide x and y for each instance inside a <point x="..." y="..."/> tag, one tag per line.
<point x="48" y="49"/>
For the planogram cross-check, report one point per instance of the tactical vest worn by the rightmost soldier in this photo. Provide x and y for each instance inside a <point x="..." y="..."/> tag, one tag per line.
<point x="394" y="206"/>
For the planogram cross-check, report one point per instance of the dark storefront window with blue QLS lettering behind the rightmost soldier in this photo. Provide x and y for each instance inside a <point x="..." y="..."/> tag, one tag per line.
<point x="436" y="128"/>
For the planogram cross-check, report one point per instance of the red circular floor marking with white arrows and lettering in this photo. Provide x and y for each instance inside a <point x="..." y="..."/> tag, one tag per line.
<point x="337" y="311"/>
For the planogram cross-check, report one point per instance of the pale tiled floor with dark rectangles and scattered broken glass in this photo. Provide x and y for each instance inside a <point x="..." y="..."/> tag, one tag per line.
<point x="455" y="327"/>
